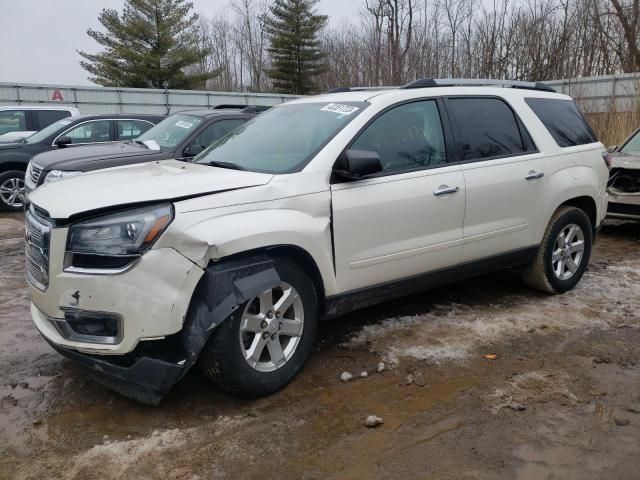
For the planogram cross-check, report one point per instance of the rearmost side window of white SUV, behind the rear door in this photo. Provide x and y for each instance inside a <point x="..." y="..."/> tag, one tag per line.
<point x="565" y="123"/>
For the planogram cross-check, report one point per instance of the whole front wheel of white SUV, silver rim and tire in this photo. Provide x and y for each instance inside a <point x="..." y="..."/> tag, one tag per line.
<point x="264" y="344"/>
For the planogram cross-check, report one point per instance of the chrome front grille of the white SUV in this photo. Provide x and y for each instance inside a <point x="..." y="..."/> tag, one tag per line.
<point x="37" y="235"/>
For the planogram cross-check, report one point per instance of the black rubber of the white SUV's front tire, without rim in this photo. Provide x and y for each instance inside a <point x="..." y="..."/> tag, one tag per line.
<point x="222" y="360"/>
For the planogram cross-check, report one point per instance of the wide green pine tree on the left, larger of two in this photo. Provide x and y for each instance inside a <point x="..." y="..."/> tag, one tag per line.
<point x="149" y="45"/>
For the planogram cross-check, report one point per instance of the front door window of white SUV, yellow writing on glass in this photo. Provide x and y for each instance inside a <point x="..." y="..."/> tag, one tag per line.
<point x="406" y="137"/>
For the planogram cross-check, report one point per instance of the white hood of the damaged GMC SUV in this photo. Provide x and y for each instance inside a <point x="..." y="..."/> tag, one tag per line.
<point x="146" y="182"/>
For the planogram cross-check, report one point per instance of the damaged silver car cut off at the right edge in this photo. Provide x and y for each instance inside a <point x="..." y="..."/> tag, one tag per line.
<point x="624" y="179"/>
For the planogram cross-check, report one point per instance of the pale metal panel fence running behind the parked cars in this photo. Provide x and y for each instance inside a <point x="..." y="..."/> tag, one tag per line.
<point x="594" y="95"/>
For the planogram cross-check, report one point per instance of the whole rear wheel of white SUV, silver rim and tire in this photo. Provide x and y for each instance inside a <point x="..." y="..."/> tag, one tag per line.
<point x="563" y="254"/>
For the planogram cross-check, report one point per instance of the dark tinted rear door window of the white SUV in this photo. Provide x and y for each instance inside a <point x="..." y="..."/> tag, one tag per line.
<point x="487" y="127"/>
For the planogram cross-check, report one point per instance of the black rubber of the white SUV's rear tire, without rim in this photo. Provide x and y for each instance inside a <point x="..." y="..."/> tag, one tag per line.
<point x="539" y="274"/>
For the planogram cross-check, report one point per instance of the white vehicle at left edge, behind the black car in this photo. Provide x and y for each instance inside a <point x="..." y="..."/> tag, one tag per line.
<point x="18" y="122"/>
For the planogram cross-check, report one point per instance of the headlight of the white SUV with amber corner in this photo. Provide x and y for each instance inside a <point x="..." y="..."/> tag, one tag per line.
<point x="114" y="241"/>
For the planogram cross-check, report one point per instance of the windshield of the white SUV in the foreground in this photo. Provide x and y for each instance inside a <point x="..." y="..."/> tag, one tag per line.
<point x="283" y="139"/>
